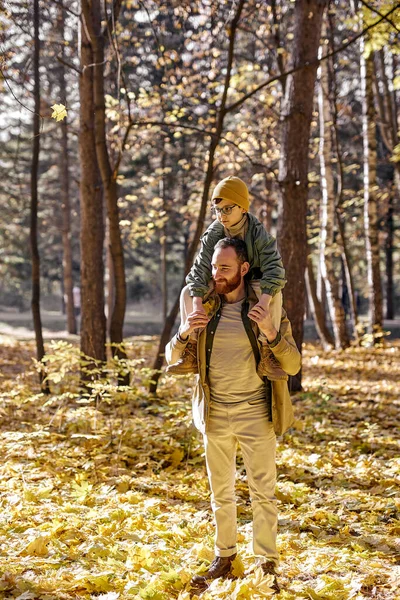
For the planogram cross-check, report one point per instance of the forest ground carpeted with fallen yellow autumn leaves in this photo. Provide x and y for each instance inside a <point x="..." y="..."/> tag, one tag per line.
<point x="106" y="496"/>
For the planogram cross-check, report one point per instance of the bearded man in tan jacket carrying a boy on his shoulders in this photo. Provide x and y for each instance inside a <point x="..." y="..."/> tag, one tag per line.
<point x="232" y="405"/>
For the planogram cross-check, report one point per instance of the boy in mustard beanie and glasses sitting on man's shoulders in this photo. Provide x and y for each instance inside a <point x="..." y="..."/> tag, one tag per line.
<point x="230" y="203"/>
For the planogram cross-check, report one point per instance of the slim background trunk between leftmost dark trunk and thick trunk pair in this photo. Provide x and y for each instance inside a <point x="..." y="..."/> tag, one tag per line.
<point x="66" y="209"/>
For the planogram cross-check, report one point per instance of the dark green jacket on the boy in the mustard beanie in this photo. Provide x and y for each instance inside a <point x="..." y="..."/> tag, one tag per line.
<point x="264" y="258"/>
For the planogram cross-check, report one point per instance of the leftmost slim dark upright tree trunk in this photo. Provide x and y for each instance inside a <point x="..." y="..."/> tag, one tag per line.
<point x="35" y="302"/>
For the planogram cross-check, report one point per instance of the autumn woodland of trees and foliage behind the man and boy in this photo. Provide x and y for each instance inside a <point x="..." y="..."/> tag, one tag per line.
<point x="165" y="99"/>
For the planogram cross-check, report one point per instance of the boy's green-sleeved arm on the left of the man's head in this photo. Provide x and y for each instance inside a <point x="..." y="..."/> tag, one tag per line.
<point x="199" y="275"/>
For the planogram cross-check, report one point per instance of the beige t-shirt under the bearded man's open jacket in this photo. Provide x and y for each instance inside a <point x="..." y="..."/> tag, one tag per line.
<point x="232" y="373"/>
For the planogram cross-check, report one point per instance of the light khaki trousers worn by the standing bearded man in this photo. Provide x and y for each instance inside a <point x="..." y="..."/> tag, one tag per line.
<point x="244" y="423"/>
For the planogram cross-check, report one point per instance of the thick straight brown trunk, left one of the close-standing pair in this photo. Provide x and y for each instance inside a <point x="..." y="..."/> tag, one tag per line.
<point x="93" y="322"/>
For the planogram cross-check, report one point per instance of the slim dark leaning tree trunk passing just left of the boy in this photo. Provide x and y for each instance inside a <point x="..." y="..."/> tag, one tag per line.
<point x="169" y="323"/>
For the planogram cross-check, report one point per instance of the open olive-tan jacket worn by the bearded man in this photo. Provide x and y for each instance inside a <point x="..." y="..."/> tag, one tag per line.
<point x="284" y="349"/>
